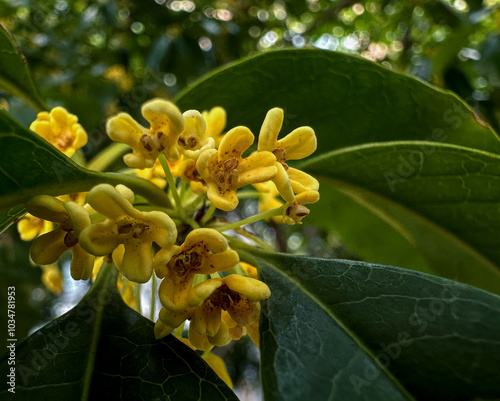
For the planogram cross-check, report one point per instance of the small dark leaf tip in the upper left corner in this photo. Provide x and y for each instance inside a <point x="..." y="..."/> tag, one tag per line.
<point x="15" y="76"/>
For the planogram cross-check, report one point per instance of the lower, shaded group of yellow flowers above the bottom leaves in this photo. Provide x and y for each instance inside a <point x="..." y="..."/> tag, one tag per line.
<point x="219" y="308"/>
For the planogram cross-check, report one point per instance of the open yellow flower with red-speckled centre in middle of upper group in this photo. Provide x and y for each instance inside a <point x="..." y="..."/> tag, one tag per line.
<point x="225" y="170"/>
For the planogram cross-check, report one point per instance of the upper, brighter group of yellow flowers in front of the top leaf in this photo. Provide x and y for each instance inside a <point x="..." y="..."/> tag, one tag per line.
<point x="213" y="162"/>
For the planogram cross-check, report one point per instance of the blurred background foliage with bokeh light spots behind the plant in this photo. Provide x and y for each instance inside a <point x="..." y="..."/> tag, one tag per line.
<point x="98" y="57"/>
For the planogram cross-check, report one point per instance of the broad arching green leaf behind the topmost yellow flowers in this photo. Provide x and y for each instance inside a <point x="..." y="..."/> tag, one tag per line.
<point x="347" y="100"/>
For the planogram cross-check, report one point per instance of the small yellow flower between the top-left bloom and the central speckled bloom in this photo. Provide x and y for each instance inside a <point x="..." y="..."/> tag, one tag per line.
<point x="192" y="141"/>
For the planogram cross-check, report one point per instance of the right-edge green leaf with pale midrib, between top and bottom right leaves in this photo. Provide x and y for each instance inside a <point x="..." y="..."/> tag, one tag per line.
<point x="442" y="199"/>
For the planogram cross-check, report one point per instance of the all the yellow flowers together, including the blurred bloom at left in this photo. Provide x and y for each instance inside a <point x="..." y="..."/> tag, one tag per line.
<point x="105" y="222"/>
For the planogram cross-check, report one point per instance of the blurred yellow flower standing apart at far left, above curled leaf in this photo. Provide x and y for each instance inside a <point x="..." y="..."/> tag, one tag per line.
<point x="61" y="129"/>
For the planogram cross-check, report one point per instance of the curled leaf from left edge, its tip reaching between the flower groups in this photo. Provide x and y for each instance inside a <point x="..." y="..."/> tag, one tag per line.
<point x="31" y="166"/>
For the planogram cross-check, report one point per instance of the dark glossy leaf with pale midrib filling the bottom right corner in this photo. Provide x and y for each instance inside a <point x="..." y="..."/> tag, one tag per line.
<point x="346" y="330"/>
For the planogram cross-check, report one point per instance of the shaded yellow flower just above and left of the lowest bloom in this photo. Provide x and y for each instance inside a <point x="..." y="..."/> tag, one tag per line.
<point x="204" y="251"/>
